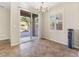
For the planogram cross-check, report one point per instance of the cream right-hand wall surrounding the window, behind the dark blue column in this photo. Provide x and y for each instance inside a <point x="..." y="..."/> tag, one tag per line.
<point x="70" y="12"/>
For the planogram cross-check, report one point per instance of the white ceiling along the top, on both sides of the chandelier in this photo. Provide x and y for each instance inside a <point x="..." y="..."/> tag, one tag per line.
<point x="30" y="4"/>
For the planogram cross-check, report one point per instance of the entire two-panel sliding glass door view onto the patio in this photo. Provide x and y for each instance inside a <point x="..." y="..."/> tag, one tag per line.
<point x="28" y="26"/>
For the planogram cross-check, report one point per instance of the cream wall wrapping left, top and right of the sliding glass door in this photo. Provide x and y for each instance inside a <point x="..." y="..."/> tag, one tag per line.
<point x="15" y="19"/>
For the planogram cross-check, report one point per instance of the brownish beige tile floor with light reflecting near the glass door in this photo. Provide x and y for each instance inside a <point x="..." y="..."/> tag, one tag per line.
<point x="41" y="48"/>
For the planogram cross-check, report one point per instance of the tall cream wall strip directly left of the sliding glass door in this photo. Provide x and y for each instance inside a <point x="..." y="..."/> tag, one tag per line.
<point x="14" y="24"/>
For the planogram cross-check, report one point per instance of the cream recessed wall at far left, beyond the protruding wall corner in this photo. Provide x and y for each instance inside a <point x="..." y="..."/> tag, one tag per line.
<point x="4" y="24"/>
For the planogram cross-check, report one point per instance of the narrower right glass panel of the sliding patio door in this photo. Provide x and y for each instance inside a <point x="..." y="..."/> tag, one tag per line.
<point x="34" y="26"/>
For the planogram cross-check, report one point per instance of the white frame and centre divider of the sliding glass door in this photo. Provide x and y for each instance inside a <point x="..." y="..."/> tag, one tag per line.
<point x="39" y="28"/>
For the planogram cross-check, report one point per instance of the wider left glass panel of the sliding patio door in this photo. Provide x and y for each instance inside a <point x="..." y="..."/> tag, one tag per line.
<point x="25" y="26"/>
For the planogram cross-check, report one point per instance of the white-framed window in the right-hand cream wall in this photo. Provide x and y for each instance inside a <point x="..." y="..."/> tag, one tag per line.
<point x="56" y="22"/>
